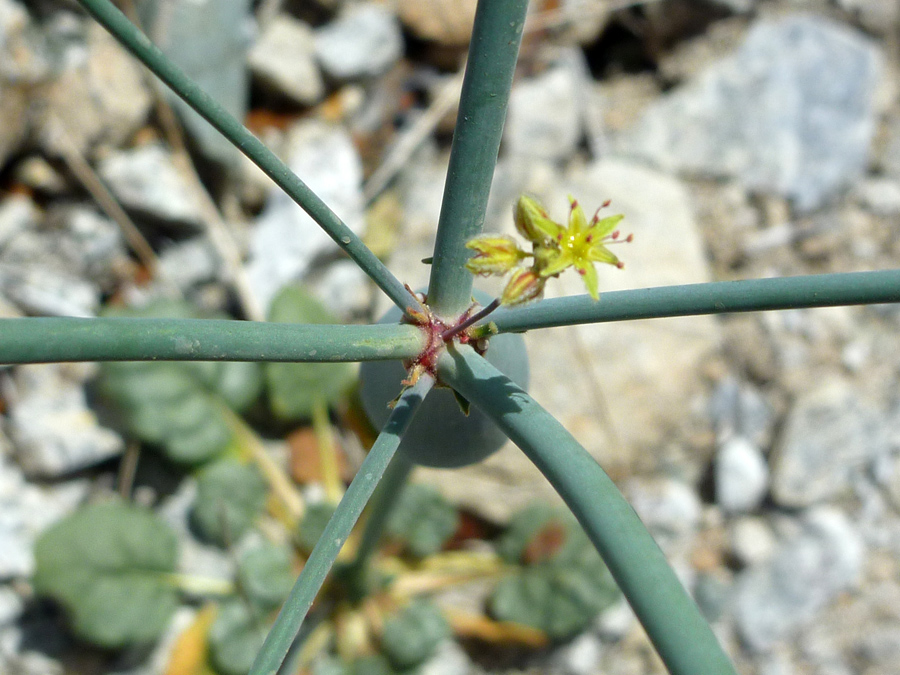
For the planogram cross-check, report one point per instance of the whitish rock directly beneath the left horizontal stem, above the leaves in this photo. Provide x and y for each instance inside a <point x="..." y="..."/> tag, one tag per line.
<point x="53" y="430"/>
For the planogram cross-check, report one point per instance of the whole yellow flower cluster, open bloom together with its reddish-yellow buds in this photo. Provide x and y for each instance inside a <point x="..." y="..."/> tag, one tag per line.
<point x="555" y="248"/>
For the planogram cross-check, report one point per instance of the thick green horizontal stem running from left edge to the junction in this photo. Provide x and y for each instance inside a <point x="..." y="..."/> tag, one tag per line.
<point x="47" y="340"/>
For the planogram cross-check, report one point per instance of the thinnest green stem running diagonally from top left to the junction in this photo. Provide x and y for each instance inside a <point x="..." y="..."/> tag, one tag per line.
<point x="151" y="56"/>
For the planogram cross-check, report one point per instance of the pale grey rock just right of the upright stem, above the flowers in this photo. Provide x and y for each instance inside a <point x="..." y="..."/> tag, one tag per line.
<point x="544" y="117"/>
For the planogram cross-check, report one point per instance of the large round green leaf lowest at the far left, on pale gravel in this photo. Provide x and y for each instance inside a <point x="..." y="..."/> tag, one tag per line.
<point x="107" y="566"/>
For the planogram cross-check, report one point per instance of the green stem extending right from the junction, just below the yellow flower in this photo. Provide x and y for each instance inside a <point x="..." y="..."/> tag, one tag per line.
<point x="721" y="297"/>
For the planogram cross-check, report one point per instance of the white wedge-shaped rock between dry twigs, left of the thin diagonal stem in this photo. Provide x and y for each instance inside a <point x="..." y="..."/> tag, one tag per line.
<point x="146" y="180"/>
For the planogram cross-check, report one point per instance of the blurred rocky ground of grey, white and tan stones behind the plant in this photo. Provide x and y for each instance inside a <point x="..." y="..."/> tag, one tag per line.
<point x="740" y="138"/>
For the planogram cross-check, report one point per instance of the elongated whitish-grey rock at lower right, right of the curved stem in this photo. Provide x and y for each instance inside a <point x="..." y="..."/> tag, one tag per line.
<point x="806" y="574"/>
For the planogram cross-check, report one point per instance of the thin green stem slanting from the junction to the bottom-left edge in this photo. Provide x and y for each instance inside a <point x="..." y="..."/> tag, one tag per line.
<point x="290" y="618"/>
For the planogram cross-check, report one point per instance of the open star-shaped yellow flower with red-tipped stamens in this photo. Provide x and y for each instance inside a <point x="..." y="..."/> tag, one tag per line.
<point x="581" y="244"/>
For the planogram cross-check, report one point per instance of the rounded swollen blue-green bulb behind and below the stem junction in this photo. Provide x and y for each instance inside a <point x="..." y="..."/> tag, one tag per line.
<point x="440" y="435"/>
